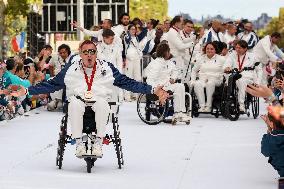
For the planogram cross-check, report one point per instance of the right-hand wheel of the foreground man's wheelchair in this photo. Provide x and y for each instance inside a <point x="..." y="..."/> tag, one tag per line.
<point x="117" y="142"/>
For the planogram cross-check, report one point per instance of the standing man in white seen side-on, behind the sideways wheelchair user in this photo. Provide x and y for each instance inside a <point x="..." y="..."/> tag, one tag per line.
<point x="176" y="44"/>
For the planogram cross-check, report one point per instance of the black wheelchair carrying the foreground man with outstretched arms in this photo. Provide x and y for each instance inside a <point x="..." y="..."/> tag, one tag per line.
<point x="89" y="126"/>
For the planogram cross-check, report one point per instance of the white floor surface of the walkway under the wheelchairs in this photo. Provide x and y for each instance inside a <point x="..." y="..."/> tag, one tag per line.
<point x="209" y="153"/>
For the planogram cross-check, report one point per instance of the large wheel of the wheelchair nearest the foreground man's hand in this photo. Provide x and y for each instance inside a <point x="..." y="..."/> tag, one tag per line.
<point x="150" y="110"/>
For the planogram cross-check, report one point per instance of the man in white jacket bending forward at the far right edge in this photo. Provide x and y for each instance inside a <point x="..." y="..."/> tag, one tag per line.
<point x="267" y="51"/>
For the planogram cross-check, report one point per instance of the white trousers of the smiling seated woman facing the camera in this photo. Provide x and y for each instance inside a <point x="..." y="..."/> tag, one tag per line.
<point x="209" y="86"/>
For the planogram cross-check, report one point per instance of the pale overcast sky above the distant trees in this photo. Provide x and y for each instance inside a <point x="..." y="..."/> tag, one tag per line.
<point x="234" y="9"/>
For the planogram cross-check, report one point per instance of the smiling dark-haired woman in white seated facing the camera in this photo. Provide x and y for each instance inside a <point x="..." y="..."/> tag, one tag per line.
<point x="209" y="69"/>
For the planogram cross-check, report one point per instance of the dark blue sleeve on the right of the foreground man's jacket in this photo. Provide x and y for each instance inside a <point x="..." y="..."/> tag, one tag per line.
<point x="124" y="82"/>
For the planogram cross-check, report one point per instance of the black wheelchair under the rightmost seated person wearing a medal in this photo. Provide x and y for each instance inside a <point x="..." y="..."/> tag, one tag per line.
<point x="231" y="104"/>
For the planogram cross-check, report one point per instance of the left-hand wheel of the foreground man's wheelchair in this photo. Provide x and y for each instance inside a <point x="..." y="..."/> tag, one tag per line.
<point x="61" y="142"/>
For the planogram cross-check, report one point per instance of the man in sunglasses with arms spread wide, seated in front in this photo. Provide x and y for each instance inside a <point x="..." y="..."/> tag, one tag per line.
<point x="88" y="79"/>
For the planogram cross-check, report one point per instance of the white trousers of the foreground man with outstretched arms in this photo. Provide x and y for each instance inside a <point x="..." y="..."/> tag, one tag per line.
<point x="76" y="111"/>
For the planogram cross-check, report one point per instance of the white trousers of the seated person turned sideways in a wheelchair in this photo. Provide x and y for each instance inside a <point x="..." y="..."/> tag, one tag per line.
<point x="179" y="96"/>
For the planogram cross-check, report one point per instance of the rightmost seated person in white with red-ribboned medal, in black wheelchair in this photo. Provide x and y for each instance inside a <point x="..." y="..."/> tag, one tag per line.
<point x="239" y="59"/>
